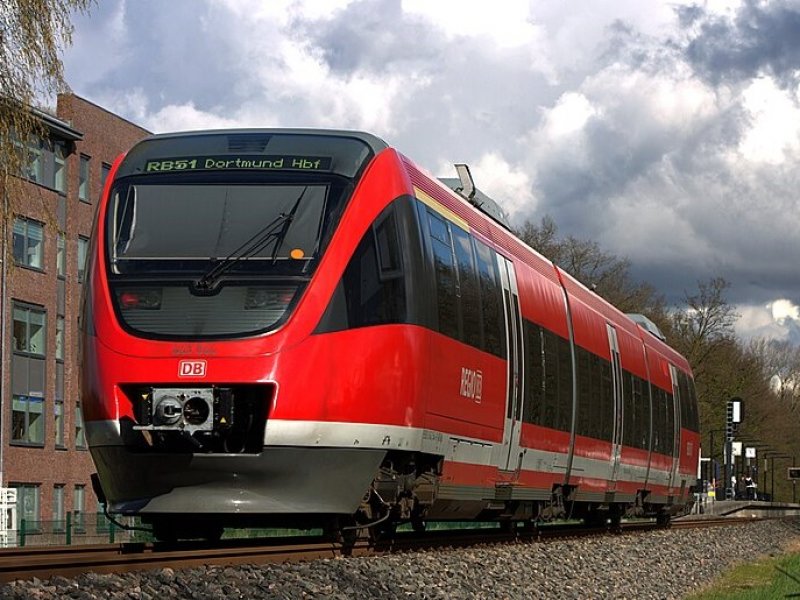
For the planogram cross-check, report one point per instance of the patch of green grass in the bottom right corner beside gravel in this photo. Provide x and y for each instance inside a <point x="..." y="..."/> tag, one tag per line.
<point x="766" y="579"/>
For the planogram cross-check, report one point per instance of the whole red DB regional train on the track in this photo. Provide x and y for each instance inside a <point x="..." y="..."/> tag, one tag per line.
<point x="301" y="327"/>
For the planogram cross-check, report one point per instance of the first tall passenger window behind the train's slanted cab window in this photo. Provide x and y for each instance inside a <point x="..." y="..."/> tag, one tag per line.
<point x="446" y="282"/>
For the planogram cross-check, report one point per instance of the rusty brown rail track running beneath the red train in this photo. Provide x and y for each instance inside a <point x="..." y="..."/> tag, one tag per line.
<point x="69" y="561"/>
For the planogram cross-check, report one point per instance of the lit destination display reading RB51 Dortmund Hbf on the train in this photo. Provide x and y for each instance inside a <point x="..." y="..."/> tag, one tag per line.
<point x="227" y="162"/>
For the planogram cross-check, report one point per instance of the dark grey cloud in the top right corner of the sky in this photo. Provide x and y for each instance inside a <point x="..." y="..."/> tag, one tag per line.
<point x="762" y="38"/>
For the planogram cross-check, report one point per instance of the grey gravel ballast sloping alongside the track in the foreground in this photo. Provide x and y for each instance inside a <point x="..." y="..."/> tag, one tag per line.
<point x="658" y="564"/>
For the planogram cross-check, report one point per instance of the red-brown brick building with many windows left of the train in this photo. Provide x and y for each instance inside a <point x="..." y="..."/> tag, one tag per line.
<point x="43" y="451"/>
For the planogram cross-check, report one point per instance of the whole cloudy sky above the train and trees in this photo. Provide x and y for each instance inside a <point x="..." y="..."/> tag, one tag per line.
<point x="667" y="132"/>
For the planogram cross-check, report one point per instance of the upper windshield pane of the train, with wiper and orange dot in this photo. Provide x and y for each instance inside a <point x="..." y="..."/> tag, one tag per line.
<point x="257" y="229"/>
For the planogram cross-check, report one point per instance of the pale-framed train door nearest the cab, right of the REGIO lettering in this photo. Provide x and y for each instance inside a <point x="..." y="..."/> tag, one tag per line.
<point x="511" y="458"/>
